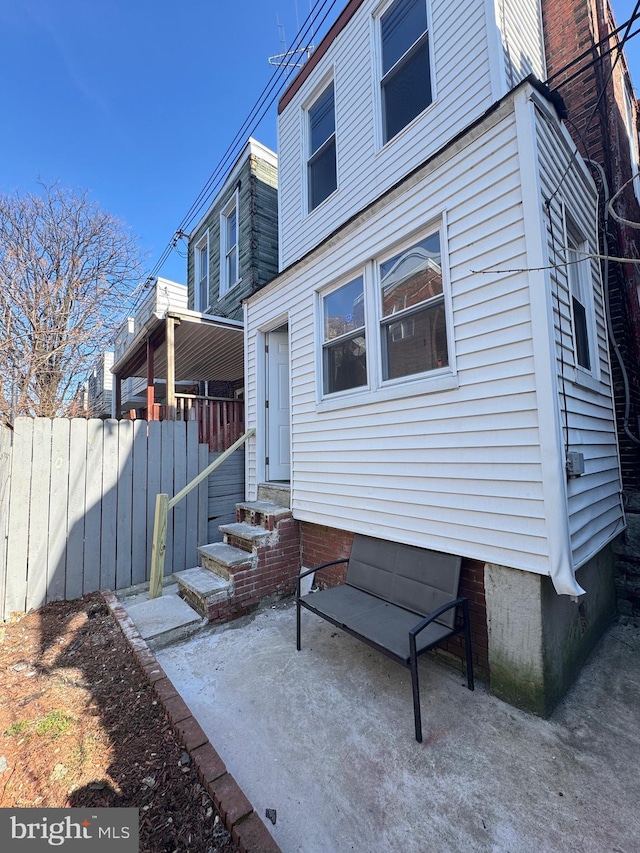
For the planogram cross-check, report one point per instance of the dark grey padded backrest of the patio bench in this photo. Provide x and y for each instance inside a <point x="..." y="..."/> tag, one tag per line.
<point x="413" y="578"/>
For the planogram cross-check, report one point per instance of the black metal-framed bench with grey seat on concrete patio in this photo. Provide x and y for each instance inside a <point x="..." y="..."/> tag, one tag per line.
<point x="398" y="599"/>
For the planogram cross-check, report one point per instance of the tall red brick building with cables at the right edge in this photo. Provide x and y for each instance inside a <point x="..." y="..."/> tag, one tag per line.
<point x="603" y="121"/>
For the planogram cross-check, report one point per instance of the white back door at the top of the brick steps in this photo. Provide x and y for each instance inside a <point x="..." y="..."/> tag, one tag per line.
<point x="278" y="430"/>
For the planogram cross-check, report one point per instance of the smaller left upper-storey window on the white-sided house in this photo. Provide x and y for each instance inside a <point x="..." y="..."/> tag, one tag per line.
<point x="321" y="167"/>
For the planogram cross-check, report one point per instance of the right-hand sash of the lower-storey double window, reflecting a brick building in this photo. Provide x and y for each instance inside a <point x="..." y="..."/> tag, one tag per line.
<point x="413" y="321"/>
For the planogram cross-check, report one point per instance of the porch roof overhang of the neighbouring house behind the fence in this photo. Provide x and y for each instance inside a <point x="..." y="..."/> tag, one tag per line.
<point x="205" y="348"/>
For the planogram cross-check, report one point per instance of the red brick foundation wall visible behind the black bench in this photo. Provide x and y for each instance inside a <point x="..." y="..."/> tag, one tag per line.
<point x="320" y="544"/>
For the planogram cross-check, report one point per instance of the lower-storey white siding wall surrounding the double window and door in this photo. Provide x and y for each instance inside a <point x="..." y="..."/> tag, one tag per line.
<point x="458" y="470"/>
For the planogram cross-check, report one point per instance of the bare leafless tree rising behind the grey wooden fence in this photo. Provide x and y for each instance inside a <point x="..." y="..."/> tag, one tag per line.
<point x="66" y="269"/>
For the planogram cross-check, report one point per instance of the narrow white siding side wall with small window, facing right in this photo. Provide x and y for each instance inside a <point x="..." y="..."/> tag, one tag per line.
<point x="586" y="407"/>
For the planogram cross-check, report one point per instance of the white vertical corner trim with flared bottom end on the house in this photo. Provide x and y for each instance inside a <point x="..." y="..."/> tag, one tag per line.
<point x="561" y="567"/>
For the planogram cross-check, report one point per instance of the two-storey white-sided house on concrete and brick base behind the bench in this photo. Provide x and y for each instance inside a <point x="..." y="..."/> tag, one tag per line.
<point x="431" y="365"/>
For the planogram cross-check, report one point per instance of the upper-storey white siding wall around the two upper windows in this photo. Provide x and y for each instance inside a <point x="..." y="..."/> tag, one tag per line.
<point x="468" y="76"/>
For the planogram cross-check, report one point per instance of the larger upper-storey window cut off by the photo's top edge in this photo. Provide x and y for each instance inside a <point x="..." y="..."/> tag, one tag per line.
<point x="406" y="74"/>
